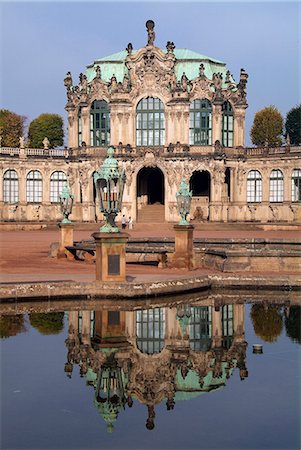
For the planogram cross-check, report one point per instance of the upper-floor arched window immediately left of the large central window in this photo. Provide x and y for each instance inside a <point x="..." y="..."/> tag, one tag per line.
<point x="99" y="123"/>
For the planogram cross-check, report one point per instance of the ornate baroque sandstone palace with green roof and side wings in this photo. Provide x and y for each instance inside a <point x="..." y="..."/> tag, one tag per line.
<point x="170" y="113"/>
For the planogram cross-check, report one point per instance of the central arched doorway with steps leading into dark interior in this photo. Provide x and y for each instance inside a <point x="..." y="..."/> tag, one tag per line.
<point x="150" y="195"/>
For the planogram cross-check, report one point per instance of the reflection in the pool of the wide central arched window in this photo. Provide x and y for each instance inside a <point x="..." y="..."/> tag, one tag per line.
<point x="150" y="330"/>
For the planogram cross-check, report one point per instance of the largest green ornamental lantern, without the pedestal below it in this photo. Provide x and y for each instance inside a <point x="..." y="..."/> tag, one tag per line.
<point x="109" y="185"/>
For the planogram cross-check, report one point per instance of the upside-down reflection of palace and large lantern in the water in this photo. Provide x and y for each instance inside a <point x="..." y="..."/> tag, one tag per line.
<point x="155" y="355"/>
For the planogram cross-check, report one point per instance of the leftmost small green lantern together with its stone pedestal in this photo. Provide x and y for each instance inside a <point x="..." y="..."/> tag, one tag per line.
<point x="66" y="226"/>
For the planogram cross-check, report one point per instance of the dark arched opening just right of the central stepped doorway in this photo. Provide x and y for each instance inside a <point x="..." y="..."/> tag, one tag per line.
<point x="199" y="184"/>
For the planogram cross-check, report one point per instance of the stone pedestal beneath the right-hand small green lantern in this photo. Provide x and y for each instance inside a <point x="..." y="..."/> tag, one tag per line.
<point x="183" y="257"/>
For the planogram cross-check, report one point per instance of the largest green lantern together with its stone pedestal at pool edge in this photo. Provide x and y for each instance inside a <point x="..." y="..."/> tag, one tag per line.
<point x="110" y="242"/>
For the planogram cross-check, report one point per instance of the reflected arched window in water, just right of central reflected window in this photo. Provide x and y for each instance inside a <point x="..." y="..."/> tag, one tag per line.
<point x="200" y="328"/>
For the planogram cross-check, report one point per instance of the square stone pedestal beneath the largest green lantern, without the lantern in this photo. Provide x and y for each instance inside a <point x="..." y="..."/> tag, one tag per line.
<point x="110" y="256"/>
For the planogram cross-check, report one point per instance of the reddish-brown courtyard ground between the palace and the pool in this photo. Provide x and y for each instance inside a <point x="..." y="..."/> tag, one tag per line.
<point x="24" y="254"/>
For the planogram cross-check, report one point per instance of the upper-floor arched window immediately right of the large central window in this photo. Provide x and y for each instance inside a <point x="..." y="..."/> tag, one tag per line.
<point x="200" y="128"/>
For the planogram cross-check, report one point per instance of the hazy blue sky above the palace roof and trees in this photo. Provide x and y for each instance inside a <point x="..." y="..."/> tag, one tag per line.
<point x="41" y="41"/>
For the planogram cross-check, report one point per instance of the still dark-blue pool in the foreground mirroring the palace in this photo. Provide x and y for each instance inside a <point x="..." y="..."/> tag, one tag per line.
<point x="179" y="376"/>
